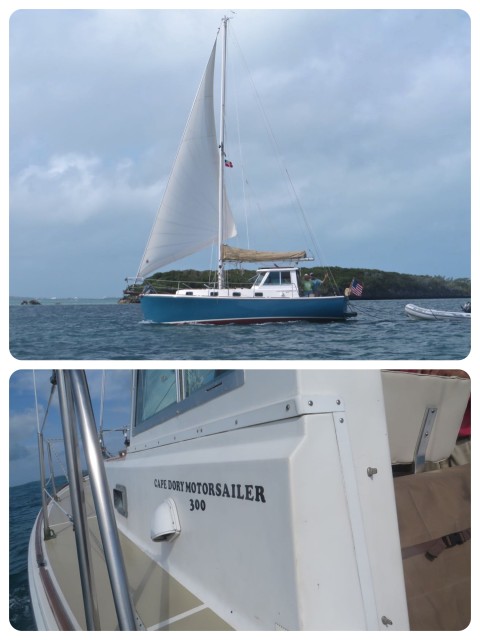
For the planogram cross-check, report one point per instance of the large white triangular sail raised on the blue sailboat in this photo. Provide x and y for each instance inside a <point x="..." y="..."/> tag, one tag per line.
<point x="187" y="220"/>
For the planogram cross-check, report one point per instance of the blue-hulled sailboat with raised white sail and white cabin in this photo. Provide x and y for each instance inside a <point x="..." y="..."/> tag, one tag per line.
<point x="195" y="213"/>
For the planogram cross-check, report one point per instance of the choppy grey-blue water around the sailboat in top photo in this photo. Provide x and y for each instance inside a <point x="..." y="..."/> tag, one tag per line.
<point x="103" y="330"/>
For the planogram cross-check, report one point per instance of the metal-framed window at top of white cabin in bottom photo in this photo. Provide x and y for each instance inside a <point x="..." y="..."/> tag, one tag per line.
<point x="160" y="395"/>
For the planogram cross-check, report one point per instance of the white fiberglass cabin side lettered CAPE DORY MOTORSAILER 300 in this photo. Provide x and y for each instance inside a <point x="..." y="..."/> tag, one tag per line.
<point x="272" y="487"/>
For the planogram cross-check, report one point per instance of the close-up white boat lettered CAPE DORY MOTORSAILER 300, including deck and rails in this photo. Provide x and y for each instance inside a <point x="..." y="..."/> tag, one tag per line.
<point x="260" y="500"/>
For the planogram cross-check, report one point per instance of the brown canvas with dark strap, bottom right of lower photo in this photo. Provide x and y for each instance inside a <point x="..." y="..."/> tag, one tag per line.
<point x="431" y="505"/>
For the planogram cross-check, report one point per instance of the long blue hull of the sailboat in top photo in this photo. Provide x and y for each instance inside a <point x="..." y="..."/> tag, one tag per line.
<point x="172" y="309"/>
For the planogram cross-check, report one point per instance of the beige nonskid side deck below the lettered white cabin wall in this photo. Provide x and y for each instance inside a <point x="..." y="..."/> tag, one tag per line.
<point x="160" y="601"/>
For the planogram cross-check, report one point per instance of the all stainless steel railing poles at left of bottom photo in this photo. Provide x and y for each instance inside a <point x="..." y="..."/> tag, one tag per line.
<point x="78" y="419"/>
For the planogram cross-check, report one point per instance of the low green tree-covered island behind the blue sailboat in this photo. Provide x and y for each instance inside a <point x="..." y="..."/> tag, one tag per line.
<point x="377" y="285"/>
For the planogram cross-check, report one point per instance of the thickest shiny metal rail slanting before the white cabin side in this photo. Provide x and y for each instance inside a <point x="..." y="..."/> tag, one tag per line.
<point x="103" y="503"/>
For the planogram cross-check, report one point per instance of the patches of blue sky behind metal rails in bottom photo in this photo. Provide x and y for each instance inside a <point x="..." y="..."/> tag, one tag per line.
<point x="29" y="399"/>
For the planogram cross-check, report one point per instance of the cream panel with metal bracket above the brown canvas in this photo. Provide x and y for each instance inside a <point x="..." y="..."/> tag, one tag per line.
<point x="408" y="397"/>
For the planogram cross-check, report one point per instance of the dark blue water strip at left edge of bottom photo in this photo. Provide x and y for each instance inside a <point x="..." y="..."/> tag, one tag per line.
<point x="25" y="503"/>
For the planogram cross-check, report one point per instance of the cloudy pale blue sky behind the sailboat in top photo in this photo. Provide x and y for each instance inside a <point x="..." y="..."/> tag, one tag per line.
<point x="370" y="112"/>
